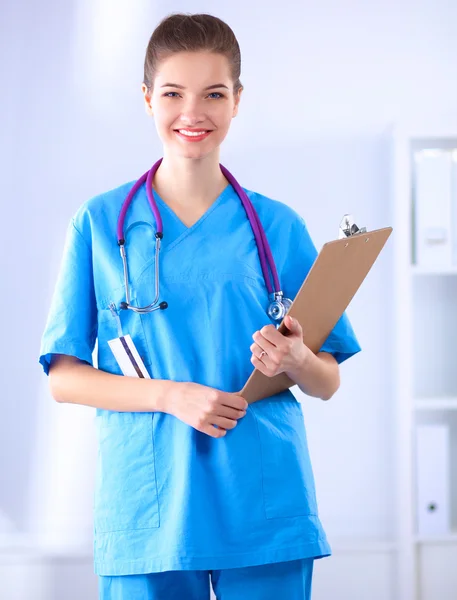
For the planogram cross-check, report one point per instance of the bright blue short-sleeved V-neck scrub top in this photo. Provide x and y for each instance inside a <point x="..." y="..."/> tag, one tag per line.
<point x="169" y="497"/>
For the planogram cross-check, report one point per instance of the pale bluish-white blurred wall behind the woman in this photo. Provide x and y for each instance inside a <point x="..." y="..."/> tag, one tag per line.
<point x="322" y="83"/>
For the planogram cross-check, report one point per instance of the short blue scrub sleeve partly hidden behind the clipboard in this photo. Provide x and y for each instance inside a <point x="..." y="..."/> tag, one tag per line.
<point x="342" y="342"/>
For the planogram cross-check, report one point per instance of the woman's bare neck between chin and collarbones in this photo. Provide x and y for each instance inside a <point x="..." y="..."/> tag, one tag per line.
<point x="190" y="182"/>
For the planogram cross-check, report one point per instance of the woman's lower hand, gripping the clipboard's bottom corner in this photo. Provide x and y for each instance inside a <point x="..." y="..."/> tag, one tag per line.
<point x="203" y="408"/>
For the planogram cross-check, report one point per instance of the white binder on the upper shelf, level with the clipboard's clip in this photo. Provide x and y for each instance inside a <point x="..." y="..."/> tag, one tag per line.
<point x="433" y="211"/>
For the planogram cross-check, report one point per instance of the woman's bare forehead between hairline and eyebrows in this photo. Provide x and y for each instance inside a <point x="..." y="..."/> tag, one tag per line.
<point x="193" y="69"/>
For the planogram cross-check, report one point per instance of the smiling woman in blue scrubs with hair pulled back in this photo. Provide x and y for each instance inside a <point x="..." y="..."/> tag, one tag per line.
<point x="193" y="484"/>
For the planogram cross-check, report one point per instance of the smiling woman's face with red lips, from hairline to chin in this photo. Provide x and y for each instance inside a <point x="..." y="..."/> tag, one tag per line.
<point x="192" y="91"/>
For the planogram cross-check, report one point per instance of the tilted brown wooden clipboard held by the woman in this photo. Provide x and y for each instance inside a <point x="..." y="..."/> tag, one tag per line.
<point x="329" y="287"/>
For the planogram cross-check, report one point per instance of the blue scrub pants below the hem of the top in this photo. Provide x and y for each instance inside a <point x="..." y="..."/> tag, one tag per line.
<point x="290" y="580"/>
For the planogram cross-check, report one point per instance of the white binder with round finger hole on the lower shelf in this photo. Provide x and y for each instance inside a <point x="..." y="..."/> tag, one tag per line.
<point x="432" y="480"/>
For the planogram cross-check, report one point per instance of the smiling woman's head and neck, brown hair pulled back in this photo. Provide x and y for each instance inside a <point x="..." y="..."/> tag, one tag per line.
<point x="191" y="85"/>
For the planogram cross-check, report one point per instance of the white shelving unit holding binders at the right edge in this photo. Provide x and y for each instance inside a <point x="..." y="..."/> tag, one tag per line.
<point x="425" y="330"/>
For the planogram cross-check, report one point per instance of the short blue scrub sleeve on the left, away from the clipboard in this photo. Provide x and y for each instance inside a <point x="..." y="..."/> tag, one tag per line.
<point x="71" y="326"/>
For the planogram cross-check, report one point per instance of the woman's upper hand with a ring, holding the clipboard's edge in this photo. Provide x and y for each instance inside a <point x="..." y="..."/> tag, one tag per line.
<point x="274" y="353"/>
